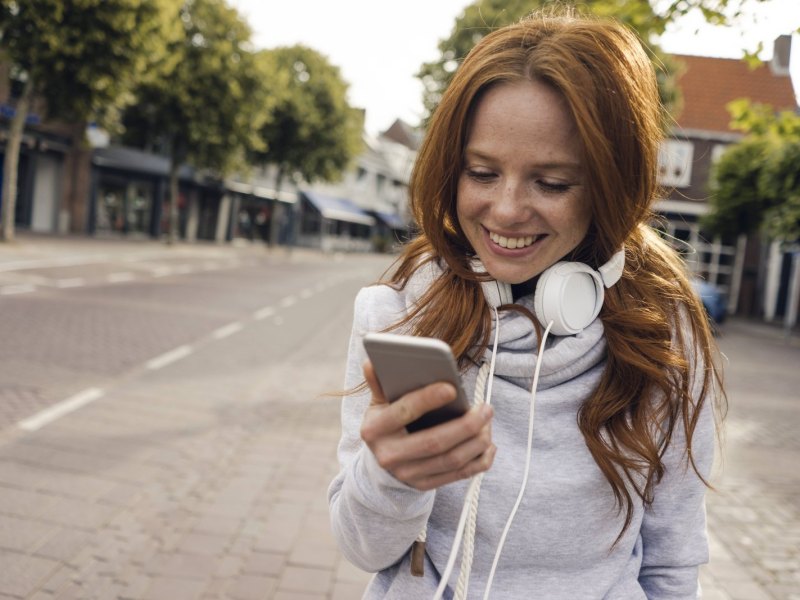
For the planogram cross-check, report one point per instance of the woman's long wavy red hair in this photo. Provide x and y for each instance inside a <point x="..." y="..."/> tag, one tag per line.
<point x="656" y="329"/>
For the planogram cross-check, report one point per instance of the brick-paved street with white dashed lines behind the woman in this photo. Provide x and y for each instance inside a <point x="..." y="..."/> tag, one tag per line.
<point x="169" y="419"/>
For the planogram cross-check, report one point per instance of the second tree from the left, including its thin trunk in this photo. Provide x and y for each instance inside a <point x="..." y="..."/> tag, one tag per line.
<point x="206" y="105"/>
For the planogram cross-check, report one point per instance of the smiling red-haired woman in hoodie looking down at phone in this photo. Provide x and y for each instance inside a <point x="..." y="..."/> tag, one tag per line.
<point x="542" y="150"/>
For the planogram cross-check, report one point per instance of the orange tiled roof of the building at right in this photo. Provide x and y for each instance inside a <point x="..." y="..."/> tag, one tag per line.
<point x="708" y="84"/>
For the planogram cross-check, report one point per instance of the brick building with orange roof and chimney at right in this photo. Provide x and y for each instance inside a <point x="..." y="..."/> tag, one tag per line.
<point x="754" y="277"/>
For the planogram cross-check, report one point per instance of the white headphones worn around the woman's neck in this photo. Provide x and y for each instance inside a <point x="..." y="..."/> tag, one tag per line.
<point x="570" y="294"/>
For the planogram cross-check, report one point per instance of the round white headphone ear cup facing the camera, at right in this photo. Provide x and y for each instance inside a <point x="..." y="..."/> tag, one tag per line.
<point x="570" y="294"/>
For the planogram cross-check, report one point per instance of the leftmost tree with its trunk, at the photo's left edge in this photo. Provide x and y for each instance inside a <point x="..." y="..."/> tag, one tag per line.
<point x="79" y="57"/>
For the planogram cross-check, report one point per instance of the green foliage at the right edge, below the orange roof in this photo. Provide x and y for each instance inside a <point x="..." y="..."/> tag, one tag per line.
<point x="756" y="183"/>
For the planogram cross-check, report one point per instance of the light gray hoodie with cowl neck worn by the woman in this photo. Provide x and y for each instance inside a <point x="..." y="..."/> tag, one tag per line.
<point x="561" y="542"/>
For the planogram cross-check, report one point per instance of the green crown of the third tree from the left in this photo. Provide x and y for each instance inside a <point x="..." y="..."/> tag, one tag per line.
<point x="312" y="131"/>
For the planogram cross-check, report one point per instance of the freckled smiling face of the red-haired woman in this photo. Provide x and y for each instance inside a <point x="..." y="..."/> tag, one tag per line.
<point x="521" y="200"/>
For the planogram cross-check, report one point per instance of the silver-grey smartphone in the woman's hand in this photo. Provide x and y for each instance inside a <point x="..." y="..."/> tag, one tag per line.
<point x="404" y="363"/>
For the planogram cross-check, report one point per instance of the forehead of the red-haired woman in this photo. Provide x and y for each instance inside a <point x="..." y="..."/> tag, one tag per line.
<point x="523" y="116"/>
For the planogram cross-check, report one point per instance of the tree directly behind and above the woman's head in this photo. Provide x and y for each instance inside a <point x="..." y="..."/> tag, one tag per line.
<point x="483" y="16"/>
